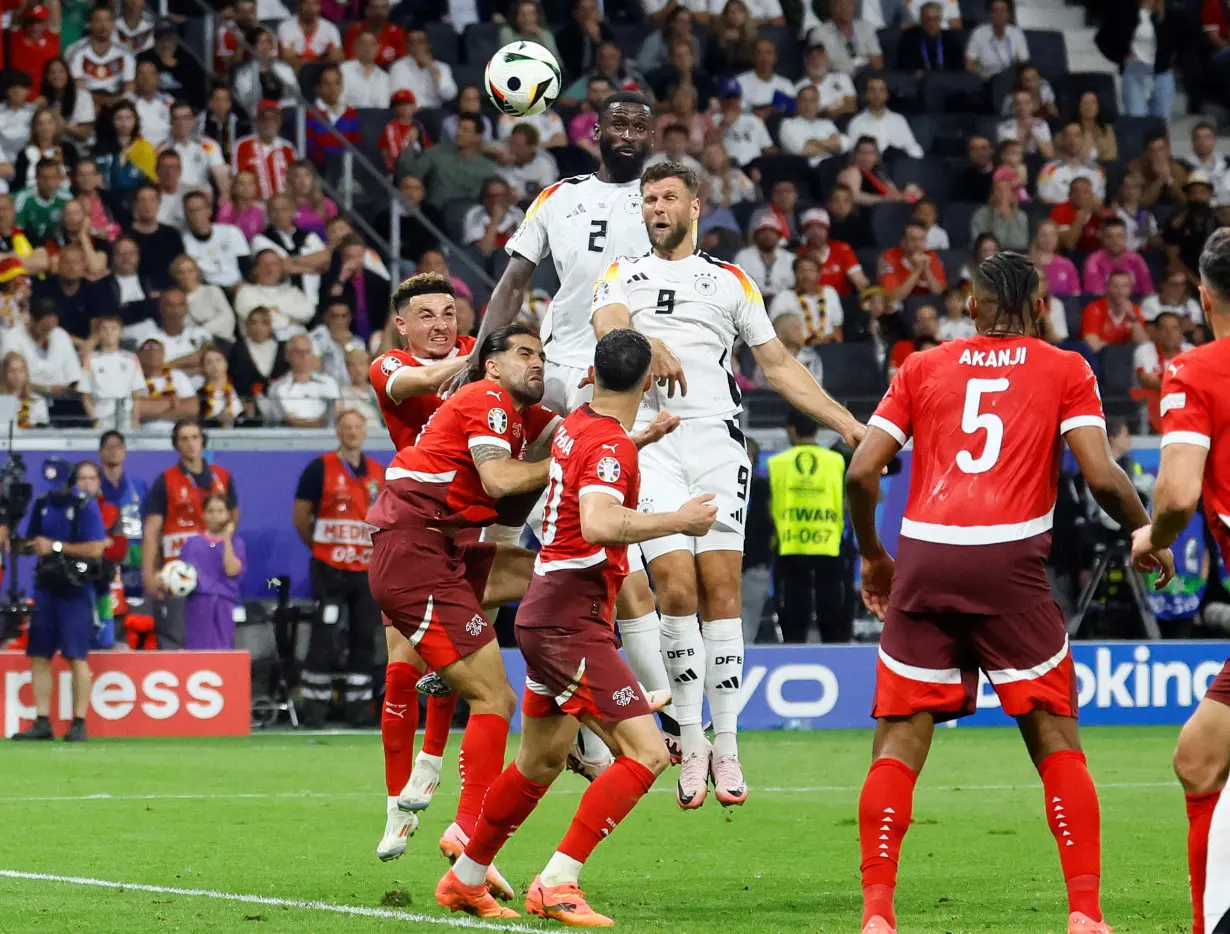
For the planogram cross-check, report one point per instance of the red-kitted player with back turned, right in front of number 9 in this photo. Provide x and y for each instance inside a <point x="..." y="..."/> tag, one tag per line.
<point x="566" y="631"/>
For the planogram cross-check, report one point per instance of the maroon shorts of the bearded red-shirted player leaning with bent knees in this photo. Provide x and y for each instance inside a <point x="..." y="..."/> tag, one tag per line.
<point x="431" y="590"/>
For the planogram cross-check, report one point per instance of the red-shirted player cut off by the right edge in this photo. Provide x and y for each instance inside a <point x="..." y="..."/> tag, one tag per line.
<point x="1196" y="468"/>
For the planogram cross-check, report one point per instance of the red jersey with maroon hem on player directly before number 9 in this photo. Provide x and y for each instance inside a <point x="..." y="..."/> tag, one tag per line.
<point x="575" y="580"/>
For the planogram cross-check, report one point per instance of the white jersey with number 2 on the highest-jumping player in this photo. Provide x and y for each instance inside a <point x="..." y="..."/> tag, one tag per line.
<point x="585" y="225"/>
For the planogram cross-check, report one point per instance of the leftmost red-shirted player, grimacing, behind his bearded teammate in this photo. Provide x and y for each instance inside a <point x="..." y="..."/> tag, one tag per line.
<point x="407" y="383"/>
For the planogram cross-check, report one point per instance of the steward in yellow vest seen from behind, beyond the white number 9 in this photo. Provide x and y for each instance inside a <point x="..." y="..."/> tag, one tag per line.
<point x="807" y="489"/>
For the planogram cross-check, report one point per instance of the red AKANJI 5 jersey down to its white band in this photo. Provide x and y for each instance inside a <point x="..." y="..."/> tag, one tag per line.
<point x="987" y="415"/>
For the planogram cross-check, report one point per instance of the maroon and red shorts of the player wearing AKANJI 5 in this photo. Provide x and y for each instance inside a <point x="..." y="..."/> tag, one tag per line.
<point x="929" y="663"/>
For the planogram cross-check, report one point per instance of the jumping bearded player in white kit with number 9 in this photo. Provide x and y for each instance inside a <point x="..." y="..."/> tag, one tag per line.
<point x="693" y="308"/>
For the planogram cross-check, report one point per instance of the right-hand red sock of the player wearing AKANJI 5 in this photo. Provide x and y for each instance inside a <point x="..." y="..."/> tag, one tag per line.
<point x="1077" y="824"/>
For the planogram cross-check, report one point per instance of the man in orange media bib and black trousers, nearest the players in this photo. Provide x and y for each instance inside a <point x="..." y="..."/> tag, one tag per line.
<point x="330" y="516"/>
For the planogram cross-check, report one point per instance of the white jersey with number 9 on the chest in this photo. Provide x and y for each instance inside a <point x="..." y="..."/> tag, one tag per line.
<point x="698" y="307"/>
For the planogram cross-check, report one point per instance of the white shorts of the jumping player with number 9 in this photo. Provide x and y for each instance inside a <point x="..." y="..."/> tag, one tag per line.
<point x="703" y="456"/>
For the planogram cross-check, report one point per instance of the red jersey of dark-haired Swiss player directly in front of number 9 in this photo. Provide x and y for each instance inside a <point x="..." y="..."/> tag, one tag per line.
<point x="591" y="453"/>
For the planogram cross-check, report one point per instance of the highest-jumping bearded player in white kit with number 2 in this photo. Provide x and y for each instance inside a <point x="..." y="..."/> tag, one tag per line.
<point x="585" y="223"/>
